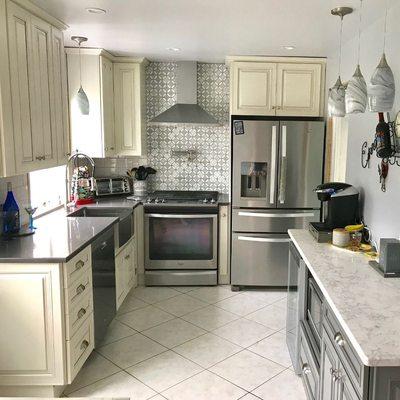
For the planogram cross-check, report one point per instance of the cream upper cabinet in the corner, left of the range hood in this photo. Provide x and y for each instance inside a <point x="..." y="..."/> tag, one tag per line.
<point x="114" y="126"/>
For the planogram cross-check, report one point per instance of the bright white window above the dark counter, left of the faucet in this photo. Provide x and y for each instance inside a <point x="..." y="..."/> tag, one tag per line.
<point x="47" y="189"/>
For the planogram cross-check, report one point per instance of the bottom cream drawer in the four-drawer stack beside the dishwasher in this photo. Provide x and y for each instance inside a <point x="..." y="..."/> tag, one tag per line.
<point x="79" y="347"/>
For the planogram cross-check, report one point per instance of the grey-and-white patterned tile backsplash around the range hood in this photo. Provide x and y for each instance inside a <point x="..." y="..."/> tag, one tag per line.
<point x="208" y="168"/>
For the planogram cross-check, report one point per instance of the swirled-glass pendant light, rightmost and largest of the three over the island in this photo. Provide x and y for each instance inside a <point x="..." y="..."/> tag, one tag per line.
<point x="382" y="87"/>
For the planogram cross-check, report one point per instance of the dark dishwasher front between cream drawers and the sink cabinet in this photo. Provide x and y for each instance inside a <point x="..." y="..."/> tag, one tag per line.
<point x="104" y="292"/>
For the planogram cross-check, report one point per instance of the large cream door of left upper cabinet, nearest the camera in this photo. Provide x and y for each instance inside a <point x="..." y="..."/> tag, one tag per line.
<point x="22" y="88"/>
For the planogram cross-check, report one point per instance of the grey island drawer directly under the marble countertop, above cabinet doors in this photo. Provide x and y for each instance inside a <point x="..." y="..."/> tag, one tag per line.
<point x="353" y="365"/>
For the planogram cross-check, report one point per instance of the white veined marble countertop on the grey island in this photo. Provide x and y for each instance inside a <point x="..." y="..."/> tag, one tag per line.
<point x="366" y="304"/>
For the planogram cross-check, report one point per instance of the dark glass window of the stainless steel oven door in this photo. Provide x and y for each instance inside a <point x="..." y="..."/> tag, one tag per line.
<point x="181" y="238"/>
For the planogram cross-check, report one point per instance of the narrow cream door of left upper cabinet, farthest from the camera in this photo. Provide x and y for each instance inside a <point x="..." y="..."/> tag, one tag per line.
<point x="60" y="102"/>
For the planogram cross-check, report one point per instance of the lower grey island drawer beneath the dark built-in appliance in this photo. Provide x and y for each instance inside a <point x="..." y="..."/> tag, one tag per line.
<point x="309" y="367"/>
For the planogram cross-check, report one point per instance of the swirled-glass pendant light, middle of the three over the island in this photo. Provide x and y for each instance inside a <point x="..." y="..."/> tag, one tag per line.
<point x="356" y="91"/>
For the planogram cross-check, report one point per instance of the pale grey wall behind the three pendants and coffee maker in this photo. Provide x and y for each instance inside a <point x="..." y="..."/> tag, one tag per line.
<point x="381" y="210"/>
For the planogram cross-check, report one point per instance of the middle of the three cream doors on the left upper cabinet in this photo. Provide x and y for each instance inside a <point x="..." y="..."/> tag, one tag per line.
<point x="43" y="93"/>
